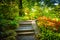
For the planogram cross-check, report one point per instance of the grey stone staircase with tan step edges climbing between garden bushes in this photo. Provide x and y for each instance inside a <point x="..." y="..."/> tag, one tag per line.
<point x="26" y="31"/>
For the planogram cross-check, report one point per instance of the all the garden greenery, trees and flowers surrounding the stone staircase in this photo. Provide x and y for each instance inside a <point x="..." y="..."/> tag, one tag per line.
<point x="47" y="12"/>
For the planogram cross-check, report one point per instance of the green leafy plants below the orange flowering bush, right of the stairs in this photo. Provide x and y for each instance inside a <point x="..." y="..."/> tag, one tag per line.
<point x="46" y="34"/>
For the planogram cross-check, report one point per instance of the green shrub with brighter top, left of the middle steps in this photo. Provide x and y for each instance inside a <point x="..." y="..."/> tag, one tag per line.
<point x="8" y="24"/>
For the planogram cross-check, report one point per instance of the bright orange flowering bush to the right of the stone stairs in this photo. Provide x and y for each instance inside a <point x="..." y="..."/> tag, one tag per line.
<point x="53" y="24"/>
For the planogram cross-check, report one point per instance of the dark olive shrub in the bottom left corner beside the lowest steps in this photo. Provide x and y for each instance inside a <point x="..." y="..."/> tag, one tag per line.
<point x="8" y="34"/>
